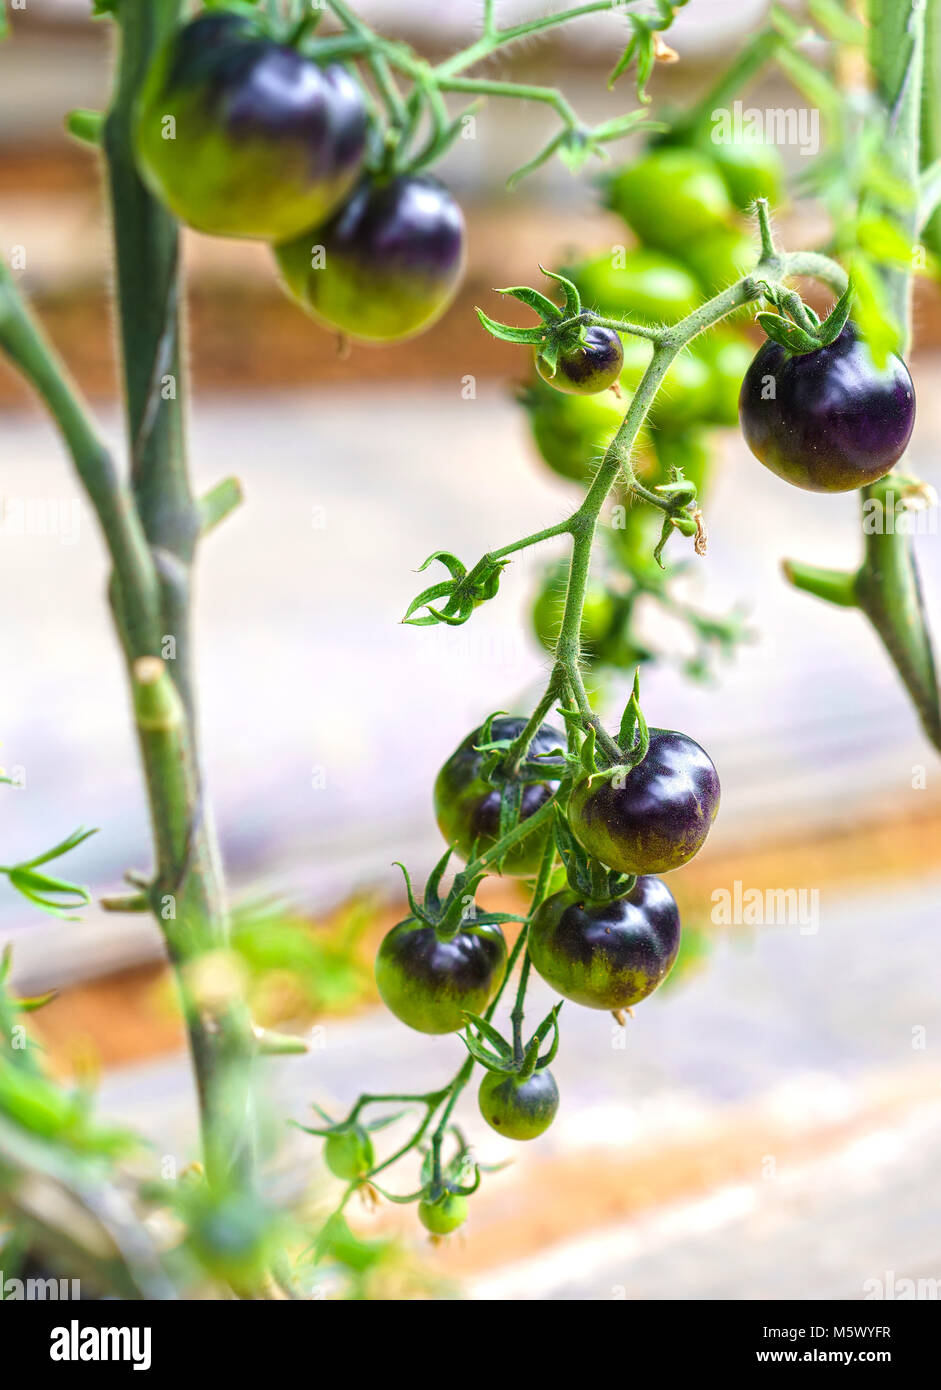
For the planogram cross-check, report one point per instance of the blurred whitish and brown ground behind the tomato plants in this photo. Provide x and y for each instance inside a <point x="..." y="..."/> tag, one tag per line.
<point x="769" y="1125"/>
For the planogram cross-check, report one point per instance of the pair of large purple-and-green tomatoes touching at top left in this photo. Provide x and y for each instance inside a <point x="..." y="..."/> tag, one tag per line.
<point x="243" y="136"/>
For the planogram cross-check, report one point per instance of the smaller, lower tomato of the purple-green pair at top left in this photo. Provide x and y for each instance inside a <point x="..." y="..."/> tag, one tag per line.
<point x="387" y="266"/>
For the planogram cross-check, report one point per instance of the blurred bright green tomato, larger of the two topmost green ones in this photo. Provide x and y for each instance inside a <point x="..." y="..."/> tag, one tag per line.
<point x="671" y="197"/>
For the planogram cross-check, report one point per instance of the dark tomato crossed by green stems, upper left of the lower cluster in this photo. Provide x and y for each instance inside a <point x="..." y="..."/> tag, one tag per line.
<point x="468" y="808"/>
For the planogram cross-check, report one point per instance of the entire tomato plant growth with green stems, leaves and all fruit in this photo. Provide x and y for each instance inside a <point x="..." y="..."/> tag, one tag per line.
<point x="322" y="140"/>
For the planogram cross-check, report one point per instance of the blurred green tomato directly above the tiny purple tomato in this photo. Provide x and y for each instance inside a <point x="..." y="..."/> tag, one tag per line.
<point x="640" y="286"/>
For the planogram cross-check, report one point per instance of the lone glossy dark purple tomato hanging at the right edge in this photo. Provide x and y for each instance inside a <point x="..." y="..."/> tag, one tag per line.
<point x="828" y="420"/>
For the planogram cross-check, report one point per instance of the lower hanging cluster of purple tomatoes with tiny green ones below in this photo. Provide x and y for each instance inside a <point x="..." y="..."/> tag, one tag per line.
<point x="605" y="942"/>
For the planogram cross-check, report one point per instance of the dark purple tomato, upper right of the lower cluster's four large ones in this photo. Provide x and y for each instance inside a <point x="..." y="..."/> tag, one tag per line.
<point x="653" y="818"/>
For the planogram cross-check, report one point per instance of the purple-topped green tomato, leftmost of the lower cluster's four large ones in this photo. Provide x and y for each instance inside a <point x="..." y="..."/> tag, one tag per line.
<point x="429" y="983"/>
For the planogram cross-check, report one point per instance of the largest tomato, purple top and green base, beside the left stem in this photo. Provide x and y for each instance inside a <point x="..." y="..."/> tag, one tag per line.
<point x="265" y="142"/>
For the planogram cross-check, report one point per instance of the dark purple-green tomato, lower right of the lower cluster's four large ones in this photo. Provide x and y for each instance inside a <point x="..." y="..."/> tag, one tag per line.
<point x="607" y="956"/>
